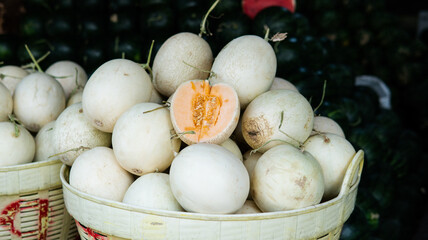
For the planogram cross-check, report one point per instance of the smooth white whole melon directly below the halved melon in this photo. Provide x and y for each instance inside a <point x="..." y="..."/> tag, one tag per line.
<point x="207" y="178"/>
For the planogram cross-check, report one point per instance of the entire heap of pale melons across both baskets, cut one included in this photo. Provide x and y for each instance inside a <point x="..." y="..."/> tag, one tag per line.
<point x="194" y="132"/>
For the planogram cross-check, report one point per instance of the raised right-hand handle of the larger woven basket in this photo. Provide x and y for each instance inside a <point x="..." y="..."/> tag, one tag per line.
<point x="354" y="170"/>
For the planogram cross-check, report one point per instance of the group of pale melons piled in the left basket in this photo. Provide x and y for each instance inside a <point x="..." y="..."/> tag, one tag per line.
<point x="30" y="101"/>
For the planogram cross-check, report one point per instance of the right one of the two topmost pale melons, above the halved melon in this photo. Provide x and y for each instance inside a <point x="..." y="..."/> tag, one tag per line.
<point x="248" y="63"/>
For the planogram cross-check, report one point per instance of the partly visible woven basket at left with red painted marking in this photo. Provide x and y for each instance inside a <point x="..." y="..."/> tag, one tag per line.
<point x="32" y="203"/>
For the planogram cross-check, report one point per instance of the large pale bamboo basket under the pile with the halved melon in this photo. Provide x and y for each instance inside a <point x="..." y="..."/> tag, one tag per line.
<point x="97" y="218"/>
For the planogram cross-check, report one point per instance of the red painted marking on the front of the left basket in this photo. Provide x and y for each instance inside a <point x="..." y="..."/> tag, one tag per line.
<point x="8" y="214"/>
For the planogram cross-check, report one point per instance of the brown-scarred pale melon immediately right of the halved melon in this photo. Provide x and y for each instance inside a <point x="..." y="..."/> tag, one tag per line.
<point x="262" y="127"/>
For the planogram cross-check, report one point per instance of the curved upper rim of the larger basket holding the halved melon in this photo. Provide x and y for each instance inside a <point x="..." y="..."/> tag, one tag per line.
<point x="208" y="217"/>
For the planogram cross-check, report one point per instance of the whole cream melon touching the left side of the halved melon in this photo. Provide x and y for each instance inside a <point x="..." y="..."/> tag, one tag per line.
<point x="143" y="140"/>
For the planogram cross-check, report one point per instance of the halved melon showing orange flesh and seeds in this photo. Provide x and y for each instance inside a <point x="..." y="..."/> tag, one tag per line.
<point x="204" y="113"/>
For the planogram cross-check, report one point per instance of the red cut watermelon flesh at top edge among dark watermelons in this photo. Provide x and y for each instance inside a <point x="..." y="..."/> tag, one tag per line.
<point x="252" y="7"/>
